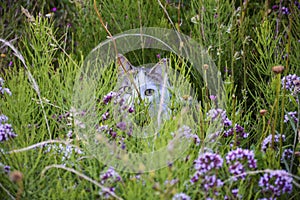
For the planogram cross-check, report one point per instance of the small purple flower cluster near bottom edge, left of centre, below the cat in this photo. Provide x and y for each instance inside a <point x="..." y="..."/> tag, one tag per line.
<point x="109" y="178"/>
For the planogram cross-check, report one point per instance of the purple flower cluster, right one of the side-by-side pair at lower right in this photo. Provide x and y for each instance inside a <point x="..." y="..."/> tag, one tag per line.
<point x="237" y="160"/>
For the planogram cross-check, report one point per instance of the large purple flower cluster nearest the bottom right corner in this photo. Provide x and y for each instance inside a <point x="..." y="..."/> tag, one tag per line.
<point x="276" y="182"/>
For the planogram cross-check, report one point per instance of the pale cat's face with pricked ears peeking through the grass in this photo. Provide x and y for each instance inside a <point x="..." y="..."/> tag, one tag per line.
<point x="147" y="84"/>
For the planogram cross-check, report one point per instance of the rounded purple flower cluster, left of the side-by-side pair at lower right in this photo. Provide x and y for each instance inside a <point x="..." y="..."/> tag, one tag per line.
<point x="208" y="161"/>
